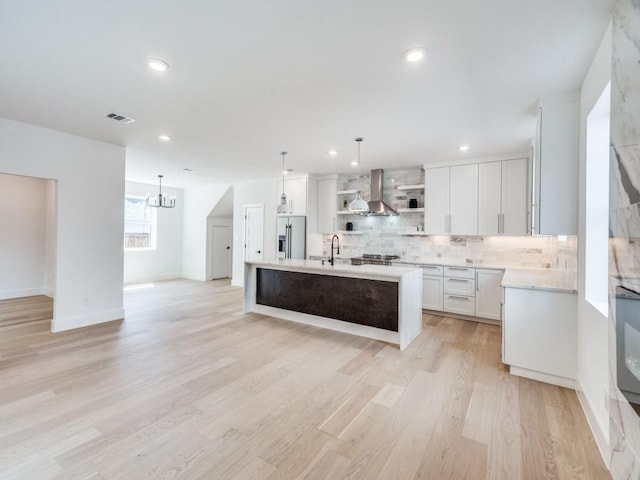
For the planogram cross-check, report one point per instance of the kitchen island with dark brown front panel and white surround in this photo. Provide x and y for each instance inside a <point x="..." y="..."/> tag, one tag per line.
<point x="379" y="302"/>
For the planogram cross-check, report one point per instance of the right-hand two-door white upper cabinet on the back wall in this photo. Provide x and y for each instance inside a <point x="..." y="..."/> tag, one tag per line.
<point x="502" y="197"/>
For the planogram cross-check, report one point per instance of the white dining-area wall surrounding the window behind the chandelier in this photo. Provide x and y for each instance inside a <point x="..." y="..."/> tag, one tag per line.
<point x="165" y="261"/>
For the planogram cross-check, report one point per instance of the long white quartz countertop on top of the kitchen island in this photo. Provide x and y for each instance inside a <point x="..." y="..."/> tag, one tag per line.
<point x="316" y="266"/>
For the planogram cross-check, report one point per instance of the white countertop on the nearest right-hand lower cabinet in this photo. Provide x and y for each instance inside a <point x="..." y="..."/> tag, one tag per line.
<point x="540" y="279"/>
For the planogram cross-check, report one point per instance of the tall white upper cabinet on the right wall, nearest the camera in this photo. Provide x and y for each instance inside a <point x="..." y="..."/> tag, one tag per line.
<point x="555" y="167"/>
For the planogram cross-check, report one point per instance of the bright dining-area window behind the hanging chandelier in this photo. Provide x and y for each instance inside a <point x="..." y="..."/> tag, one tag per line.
<point x="139" y="224"/>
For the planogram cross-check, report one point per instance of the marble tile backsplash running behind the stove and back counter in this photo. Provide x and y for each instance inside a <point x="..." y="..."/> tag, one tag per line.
<point x="527" y="252"/>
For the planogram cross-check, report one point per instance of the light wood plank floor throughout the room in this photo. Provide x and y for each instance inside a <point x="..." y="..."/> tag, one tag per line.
<point x="189" y="387"/>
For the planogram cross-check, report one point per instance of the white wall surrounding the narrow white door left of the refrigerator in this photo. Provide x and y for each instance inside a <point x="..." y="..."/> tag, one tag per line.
<point x="260" y="192"/>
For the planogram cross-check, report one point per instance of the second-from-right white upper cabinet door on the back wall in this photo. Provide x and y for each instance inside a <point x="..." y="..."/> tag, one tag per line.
<point x="489" y="198"/>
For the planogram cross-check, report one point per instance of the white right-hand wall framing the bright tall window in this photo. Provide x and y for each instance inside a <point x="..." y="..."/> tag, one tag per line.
<point x="593" y="353"/>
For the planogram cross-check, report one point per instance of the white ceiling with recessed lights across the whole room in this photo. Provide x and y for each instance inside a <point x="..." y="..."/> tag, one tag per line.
<point x="250" y="78"/>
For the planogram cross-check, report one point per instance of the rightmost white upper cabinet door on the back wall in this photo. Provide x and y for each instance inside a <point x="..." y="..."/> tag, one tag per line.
<point x="514" y="197"/>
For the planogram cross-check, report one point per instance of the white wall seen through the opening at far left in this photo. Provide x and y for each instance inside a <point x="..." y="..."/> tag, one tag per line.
<point x="23" y="211"/>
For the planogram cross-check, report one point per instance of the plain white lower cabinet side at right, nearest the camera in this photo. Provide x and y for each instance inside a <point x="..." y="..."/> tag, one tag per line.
<point x="539" y="334"/>
